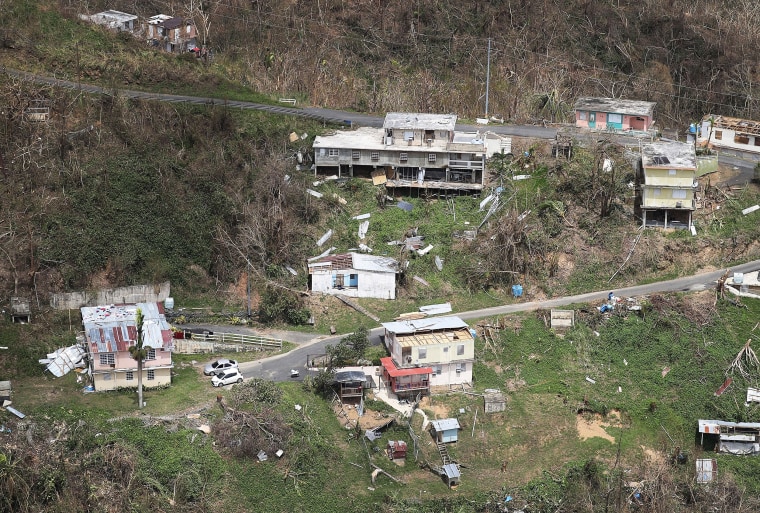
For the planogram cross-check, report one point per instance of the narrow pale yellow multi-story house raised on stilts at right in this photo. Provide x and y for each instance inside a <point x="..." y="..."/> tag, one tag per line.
<point x="667" y="177"/>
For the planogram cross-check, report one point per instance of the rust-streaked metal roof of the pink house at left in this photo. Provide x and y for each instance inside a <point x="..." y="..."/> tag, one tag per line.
<point x="112" y="328"/>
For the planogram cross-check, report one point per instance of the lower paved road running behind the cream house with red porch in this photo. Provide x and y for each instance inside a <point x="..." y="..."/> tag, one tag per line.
<point x="278" y="367"/>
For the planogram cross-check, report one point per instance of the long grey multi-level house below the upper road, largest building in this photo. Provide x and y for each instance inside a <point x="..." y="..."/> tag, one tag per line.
<point x="411" y="150"/>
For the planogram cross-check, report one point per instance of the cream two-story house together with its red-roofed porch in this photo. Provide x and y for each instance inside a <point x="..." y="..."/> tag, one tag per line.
<point x="437" y="351"/>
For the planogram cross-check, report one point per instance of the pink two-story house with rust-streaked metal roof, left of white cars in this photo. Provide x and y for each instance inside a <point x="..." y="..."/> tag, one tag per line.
<point x="110" y="331"/>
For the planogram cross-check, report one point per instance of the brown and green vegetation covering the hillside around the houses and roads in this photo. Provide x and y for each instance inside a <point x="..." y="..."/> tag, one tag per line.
<point x="111" y="191"/>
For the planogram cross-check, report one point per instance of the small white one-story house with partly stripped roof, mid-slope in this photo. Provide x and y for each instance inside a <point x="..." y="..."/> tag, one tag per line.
<point x="354" y="275"/>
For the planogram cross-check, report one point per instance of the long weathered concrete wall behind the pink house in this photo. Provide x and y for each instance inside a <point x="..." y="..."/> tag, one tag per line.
<point x="152" y="293"/>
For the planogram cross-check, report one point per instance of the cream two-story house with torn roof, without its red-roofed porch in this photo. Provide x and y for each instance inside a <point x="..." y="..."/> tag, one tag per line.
<point x="444" y="344"/>
